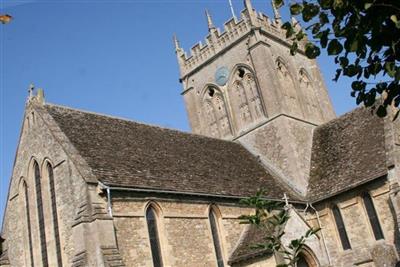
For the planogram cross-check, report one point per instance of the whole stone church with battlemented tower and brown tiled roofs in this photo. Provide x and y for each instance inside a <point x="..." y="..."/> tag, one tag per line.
<point x="94" y="190"/>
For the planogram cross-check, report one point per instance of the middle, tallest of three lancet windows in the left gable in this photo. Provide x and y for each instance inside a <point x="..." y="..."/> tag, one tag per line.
<point x="39" y="203"/>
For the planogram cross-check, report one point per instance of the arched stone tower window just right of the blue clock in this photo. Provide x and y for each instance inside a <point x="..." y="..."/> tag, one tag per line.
<point x="246" y="99"/>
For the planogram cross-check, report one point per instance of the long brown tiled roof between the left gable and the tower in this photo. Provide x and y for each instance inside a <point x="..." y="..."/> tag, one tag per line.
<point x="129" y="154"/>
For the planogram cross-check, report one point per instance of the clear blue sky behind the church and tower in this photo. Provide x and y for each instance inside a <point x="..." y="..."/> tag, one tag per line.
<point x="113" y="57"/>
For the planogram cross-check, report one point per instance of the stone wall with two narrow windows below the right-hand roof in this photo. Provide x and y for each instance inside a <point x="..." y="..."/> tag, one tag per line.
<point x="365" y="250"/>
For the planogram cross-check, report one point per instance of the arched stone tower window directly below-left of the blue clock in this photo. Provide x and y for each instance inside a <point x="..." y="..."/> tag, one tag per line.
<point x="217" y="121"/>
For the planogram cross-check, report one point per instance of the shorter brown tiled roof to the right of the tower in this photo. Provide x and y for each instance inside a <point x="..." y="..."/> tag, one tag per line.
<point x="347" y="151"/>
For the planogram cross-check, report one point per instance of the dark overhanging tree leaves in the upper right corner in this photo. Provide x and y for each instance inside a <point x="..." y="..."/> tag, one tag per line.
<point x="363" y="36"/>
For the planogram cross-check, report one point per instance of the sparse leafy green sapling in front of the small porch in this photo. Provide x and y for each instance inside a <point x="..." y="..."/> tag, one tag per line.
<point x="272" y="217"/>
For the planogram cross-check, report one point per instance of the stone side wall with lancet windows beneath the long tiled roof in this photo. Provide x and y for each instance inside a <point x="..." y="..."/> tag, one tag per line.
<point x="183" y="227"/>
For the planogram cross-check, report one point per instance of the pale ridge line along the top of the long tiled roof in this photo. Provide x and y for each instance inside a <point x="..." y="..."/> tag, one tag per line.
<point x="137" y="122"/>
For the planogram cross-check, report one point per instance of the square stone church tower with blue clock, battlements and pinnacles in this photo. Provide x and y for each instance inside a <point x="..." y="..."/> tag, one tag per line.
<point x="243" y="85"/>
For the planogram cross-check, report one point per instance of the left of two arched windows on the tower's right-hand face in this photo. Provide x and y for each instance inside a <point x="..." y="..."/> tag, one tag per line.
<point x="288" y="89"/>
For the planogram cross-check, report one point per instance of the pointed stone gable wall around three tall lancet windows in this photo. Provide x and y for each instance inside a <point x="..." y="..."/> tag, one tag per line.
<point x="38" y="143"/>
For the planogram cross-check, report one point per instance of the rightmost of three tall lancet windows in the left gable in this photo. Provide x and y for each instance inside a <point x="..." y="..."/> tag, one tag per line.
<point x="54" y="213"/>
